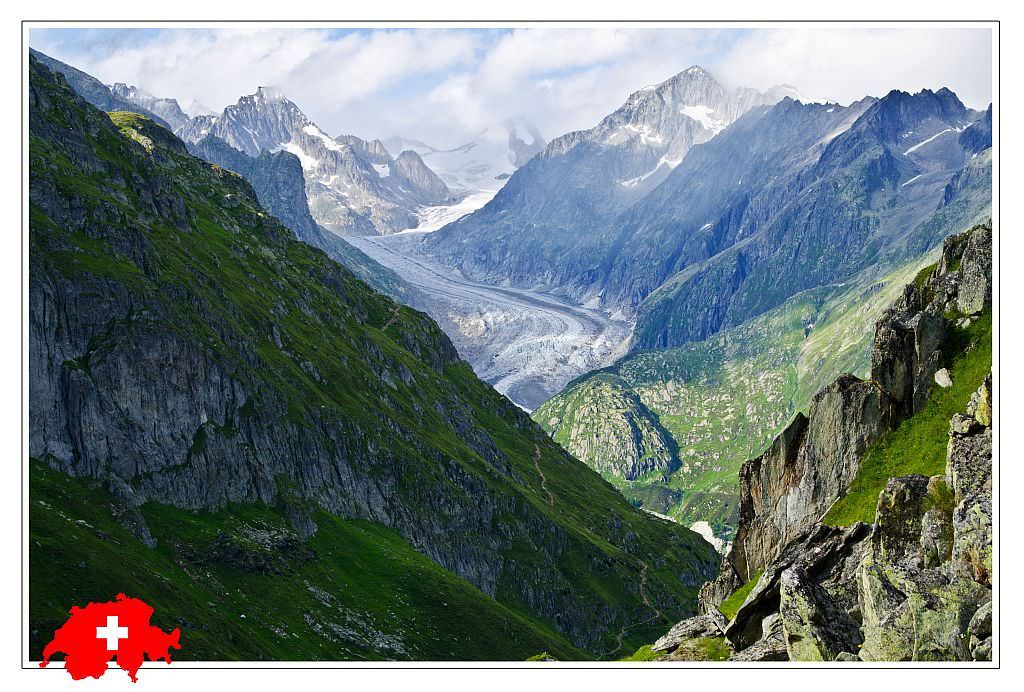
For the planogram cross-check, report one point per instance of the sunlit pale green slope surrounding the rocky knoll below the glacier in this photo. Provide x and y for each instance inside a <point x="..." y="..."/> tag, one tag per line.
<point x="722" y="402"/>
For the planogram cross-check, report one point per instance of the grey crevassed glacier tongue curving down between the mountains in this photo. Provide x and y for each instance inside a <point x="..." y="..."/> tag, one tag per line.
<point x="528" y="344"/>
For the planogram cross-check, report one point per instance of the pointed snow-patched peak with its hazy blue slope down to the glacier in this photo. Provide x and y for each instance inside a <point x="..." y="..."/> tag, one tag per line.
<point x="582" y="178"/>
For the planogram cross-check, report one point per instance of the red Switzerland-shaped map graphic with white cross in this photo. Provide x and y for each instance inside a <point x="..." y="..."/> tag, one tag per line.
<point x="101" y="632"/>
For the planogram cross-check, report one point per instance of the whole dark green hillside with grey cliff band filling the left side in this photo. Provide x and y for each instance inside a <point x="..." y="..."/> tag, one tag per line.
<point x="189" y="353"/>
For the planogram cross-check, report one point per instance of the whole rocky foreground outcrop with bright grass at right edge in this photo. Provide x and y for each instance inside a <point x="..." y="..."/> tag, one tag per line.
<point x="854" y="542"/>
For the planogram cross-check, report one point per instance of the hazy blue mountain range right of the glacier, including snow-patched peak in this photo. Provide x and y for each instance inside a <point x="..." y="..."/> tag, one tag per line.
<point x="820" y="189"/>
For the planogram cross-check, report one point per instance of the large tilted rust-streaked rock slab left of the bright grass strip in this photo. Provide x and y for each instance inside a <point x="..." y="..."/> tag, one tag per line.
<point x="808" y="467"/>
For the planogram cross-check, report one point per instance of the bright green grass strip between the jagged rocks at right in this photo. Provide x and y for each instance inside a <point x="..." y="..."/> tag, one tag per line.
<point x="918" y="446"/>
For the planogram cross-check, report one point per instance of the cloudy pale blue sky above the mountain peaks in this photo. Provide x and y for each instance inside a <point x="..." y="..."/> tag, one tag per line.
<point x="444" y="85"/>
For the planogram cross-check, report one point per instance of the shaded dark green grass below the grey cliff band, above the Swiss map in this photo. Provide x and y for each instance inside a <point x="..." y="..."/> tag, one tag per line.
<point x="386" y="600"/>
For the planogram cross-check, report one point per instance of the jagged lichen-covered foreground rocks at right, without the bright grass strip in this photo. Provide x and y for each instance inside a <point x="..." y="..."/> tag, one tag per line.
<point x="914" y="586"/>
